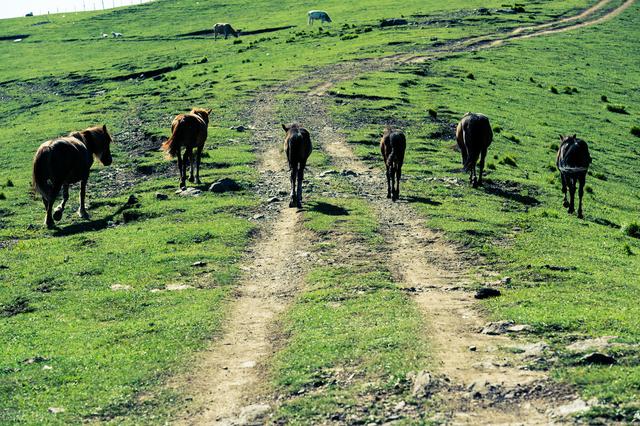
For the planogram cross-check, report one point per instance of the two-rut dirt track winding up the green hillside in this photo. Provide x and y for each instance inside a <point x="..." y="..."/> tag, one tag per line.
<point x="487" y="385"/>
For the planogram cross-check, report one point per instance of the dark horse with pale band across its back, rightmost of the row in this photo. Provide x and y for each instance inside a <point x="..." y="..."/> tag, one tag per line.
<point x="573" y="161"/>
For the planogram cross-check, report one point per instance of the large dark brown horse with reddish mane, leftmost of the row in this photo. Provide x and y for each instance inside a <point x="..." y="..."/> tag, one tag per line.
<point x="63" y="161"/>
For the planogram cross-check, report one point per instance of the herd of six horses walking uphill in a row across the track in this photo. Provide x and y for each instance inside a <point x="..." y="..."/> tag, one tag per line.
<point x="63" y="161"/>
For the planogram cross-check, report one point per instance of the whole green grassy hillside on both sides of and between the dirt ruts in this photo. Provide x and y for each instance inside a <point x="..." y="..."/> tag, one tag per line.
<point x="88" y="318"/>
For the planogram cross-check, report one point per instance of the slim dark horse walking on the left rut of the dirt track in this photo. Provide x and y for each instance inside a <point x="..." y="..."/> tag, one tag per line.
<point x="297" y="145"/>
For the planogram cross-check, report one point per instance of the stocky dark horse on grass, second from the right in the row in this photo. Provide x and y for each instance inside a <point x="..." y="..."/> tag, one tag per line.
<point x="474" y="135"/>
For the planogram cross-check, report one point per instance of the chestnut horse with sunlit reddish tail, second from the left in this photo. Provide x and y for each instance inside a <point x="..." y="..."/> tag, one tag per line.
<point x="188" y="130"/>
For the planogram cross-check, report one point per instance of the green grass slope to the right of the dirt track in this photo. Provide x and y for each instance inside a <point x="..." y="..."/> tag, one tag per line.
<point x="516" y="222"/>
